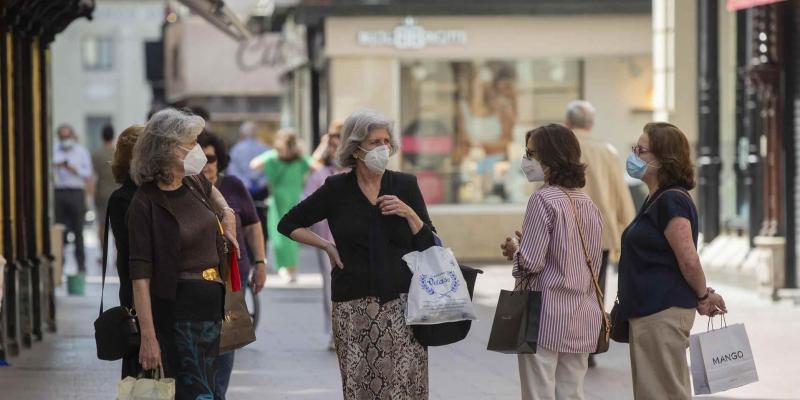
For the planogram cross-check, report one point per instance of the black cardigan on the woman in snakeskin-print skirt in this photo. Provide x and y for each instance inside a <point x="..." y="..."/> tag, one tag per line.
<point x="370" y="245"/>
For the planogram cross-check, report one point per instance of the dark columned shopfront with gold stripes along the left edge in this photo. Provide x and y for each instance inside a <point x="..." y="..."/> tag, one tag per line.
<point x="27" y="260"/>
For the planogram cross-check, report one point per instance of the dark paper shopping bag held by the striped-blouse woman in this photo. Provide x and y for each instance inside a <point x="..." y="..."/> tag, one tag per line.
<point x="515" y="329"/>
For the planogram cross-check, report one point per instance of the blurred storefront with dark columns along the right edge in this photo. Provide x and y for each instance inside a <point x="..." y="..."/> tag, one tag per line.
<point x="749" y="131"/>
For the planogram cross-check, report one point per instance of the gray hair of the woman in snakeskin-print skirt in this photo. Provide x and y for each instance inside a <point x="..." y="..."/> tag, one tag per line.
<point x="356" y="130"/>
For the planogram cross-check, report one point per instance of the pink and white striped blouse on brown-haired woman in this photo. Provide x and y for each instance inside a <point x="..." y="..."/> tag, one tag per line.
<point x="551" y="250"/>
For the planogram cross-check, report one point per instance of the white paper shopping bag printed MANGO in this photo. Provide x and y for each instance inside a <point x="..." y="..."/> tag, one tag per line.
<point x="721" y="359"/>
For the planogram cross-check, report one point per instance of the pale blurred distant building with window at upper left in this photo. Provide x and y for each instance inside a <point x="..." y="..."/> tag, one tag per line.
<point x="99" y="68"/>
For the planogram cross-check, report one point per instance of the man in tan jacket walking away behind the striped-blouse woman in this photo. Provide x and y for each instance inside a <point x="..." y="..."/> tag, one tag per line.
<point x="605" y="183"/>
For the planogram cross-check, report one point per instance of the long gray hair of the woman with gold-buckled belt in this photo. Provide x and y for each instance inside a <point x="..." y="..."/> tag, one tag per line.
<point x="154" y="152"/>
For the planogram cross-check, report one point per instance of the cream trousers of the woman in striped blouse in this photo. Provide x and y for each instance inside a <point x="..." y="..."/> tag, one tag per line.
<point x="548" y="375"/>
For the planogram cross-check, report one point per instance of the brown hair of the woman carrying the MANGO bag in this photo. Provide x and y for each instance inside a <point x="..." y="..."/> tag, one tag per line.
<point x="671" y="148"/>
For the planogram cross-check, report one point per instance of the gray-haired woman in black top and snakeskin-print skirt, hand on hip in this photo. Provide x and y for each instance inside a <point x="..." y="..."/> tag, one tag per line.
<point x="376" y="216"/>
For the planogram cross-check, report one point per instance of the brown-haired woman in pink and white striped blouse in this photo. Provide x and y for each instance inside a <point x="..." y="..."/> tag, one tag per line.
<point x="550" y="257"/>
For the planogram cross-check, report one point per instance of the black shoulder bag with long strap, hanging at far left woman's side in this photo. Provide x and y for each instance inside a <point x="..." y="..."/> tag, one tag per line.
<point x="116" y="330"/>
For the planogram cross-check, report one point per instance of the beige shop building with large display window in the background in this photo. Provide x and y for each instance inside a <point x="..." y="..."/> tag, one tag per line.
<point x="465" y="83"/>
